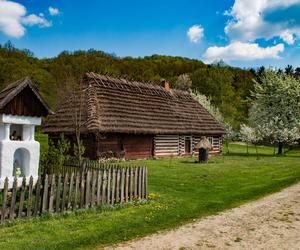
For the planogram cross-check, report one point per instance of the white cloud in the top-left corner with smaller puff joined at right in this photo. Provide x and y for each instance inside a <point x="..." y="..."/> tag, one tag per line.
<point x="13" y="19"/>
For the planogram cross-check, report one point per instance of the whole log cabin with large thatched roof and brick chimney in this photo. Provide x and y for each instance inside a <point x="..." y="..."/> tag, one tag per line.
<point x="134" y="120"/>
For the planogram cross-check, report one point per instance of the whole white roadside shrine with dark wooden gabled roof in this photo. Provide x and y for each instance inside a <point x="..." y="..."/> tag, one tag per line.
<point x="21" y="110"/>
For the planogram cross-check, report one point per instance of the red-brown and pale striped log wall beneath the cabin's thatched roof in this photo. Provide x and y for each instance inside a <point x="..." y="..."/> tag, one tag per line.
<point x="140" y="146"/>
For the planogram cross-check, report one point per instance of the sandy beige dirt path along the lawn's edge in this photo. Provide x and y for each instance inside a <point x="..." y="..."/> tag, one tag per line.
<point x="269" y="223"/>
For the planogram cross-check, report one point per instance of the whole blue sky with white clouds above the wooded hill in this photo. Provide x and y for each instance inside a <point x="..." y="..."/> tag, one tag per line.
<point x="245" y="33"/>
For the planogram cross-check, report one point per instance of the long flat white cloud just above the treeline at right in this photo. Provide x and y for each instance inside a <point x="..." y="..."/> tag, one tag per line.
<point x="242" y="51"/>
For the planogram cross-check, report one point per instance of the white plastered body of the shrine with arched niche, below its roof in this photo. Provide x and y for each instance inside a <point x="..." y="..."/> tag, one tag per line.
<point x="26" y="150"/>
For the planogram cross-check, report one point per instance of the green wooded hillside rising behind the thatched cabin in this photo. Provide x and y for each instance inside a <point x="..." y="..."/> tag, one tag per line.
<point x="227" y="87"/>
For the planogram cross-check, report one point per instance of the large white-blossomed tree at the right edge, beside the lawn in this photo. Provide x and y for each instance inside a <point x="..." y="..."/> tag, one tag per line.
<point x="275" y="109"/>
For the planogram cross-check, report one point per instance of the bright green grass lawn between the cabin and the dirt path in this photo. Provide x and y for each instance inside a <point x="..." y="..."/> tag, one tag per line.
<point x="186" y="190"/>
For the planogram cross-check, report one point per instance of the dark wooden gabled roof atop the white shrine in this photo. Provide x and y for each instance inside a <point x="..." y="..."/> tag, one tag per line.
<point x="14" y="90"/>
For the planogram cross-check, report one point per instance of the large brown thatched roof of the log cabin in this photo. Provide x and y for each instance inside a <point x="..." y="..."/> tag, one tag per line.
<point x="115" y="105"/>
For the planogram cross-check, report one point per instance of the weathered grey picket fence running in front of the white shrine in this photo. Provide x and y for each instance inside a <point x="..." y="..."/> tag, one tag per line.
<point x="57" y="193"/>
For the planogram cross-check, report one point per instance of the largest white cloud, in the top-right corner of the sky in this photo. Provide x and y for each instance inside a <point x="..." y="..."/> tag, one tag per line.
<point x="247" y="21"/>
